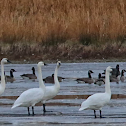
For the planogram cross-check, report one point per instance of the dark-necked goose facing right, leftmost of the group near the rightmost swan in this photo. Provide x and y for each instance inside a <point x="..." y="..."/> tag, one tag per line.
<point x="86" y="80"/>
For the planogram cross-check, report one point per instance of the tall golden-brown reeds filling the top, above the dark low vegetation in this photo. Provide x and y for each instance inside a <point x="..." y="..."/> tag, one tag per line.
<point x="56" y="21"/>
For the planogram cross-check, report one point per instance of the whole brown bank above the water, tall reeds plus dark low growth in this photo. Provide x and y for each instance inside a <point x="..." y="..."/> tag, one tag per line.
<point x="62" y="29"/>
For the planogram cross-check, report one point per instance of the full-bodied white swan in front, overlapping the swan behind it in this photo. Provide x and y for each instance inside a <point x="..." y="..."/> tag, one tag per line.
<point x="32" y="96"/>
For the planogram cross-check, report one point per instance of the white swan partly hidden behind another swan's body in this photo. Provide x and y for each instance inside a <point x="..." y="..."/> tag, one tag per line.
<point x="52" y="91"/>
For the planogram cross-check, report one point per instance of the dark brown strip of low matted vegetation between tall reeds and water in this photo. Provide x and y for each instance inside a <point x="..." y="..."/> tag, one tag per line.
<point x="32" y="53"/>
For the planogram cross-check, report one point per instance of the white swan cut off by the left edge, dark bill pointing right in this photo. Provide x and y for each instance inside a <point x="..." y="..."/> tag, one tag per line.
<point x="2" y="85"/>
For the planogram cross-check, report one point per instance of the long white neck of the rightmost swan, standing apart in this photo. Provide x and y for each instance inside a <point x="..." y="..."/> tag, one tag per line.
<point x="107" y="83"/>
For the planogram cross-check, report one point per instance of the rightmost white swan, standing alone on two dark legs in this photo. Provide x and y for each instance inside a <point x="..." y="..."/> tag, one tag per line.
<point x="98" y="100"/>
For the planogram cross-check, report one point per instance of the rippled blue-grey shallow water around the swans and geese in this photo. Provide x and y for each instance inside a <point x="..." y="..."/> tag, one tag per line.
<point x="66" y="104"/>
